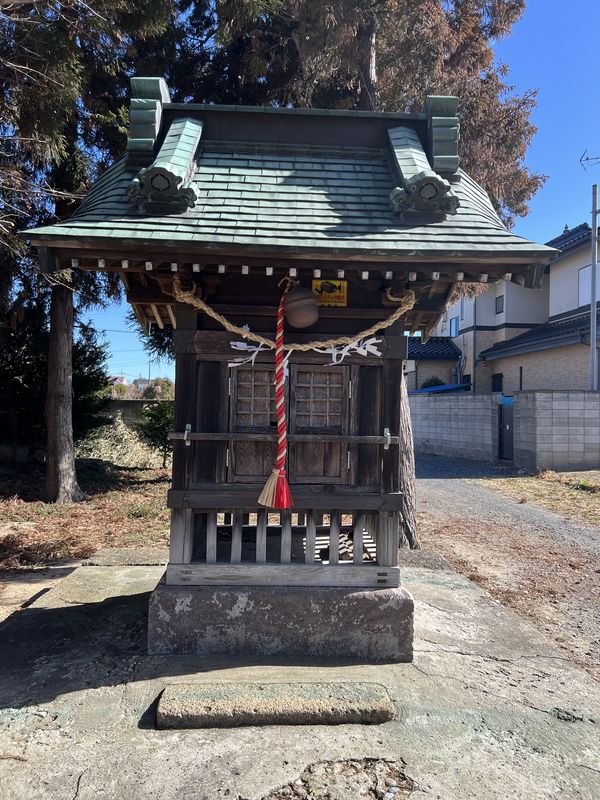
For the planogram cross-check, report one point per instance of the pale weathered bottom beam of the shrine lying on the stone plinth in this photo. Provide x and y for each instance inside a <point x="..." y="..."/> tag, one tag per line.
<point x="366" y="575"/>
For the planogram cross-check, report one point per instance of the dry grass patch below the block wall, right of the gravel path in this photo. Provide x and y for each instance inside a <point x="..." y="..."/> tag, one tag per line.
<point x="573" y="495"/>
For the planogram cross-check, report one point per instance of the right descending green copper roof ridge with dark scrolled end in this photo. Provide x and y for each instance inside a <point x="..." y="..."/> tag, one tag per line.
<point x="423" y="192"/>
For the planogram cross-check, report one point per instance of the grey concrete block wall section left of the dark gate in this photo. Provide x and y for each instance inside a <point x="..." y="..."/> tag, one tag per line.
<point x="463" y="425"/>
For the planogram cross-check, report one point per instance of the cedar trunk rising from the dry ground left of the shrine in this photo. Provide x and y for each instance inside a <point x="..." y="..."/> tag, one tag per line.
<point x="61" y="481"/>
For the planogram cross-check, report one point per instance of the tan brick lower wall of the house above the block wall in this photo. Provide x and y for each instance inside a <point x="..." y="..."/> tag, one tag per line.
<point x="562" y="368"/>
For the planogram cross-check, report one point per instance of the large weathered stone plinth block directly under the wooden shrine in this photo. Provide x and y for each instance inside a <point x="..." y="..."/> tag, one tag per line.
<point x="335" y="623"/>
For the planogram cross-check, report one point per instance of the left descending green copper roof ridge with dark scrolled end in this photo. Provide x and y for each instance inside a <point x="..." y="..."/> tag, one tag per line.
<point x="166" y="186"/>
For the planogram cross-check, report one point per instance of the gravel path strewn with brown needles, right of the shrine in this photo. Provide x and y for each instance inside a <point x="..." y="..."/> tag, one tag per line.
<point x="542" y="565"/>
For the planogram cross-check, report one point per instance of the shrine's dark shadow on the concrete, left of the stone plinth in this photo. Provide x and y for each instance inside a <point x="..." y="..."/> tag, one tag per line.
<point x="50" y="651"/>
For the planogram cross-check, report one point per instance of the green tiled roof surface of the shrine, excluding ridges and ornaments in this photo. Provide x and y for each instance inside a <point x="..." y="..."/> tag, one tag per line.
<point x="309" y="201"/>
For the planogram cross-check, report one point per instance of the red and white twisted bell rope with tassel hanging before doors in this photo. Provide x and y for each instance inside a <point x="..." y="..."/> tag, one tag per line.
<point x="276" y="492"/>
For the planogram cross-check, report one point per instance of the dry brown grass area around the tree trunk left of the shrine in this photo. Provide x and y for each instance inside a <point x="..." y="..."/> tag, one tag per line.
<point x="126" y="507"/>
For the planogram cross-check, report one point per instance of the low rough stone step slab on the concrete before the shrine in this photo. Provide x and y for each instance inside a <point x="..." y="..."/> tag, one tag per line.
<point x="232" y="705"/>
